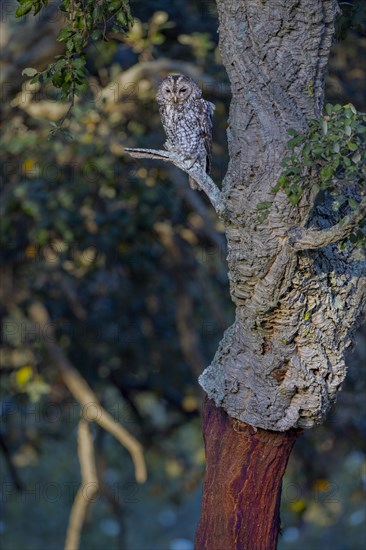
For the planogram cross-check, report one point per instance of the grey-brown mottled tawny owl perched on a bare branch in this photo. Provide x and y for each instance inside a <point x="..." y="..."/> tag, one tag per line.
<point x="187" y="120"/>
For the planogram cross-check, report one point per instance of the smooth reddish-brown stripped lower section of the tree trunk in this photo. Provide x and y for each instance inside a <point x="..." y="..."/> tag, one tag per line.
<point x="242" y="489"/>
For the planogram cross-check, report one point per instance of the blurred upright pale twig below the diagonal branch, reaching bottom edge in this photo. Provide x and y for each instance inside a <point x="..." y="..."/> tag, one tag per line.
<point x="88" y="488"/>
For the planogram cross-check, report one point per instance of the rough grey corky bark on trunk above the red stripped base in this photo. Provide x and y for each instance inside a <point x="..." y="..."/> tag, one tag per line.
<point x="281" y="363"/>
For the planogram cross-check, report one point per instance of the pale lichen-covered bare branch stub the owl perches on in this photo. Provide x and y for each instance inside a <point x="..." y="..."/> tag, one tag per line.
<point x="198" y="174"/>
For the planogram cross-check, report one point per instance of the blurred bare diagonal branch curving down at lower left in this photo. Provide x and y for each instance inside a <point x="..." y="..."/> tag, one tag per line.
<point x="83" y="393"/>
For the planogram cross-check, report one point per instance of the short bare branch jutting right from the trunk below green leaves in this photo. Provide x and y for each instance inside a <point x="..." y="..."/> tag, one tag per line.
<point x="310" y="239"/>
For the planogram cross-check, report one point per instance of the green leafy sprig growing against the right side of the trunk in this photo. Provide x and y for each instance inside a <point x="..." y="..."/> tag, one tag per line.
<point x="330" y="155"/>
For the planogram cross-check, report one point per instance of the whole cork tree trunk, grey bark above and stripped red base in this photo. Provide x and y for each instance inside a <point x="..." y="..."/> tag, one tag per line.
<point x="281" y="364"/>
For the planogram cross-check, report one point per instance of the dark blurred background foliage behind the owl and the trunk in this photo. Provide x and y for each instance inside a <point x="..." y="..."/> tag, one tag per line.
<point x="130" y="264"/>
